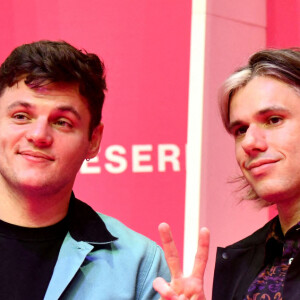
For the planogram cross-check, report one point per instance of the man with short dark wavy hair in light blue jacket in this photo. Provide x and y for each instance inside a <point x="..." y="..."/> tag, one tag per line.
<point x="52" y="245"/>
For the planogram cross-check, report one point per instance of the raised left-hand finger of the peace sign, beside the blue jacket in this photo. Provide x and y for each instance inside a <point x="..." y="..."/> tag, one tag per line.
<point x="170" y="250"/>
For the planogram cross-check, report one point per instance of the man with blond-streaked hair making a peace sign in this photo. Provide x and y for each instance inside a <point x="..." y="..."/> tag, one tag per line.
<point x="260" y="108"/>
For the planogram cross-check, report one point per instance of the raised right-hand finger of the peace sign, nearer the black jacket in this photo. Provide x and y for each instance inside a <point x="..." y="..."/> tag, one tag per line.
<point x="202" y="254"/>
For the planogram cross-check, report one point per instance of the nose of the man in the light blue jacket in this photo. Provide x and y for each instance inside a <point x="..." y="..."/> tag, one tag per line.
<point x="39" y="133"/>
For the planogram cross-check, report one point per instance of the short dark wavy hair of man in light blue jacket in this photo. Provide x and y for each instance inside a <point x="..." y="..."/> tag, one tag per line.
<point x="45" y="62"/>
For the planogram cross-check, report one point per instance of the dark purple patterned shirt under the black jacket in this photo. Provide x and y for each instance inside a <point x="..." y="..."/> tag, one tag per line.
<point x="280" y="252"/>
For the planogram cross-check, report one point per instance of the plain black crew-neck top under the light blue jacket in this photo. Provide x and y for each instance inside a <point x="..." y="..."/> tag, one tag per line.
<point x="27" y="259"/>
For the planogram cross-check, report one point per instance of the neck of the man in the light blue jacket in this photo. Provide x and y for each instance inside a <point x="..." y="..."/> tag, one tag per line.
<point x="33" y="208"/>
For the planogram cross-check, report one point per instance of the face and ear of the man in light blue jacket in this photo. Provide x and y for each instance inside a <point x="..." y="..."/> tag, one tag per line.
<point x="44" y="137"/>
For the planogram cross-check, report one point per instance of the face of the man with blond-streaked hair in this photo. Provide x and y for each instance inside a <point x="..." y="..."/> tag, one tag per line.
<point x="265" y="122"/>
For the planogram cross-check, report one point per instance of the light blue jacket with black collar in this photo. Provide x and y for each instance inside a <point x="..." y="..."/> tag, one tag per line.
<point x="101" y="258"/>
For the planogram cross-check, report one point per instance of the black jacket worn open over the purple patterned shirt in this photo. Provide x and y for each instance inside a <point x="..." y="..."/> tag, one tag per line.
<point x="238" y="265"/>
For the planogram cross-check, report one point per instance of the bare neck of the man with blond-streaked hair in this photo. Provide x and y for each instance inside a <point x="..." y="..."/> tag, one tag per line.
<point x="289" y="214"/>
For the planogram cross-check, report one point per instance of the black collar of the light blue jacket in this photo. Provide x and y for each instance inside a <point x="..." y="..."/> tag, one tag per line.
<point x="86" y="225"/>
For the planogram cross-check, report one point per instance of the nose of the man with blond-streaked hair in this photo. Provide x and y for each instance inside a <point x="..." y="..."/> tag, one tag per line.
<point x="254" y="140"/>
